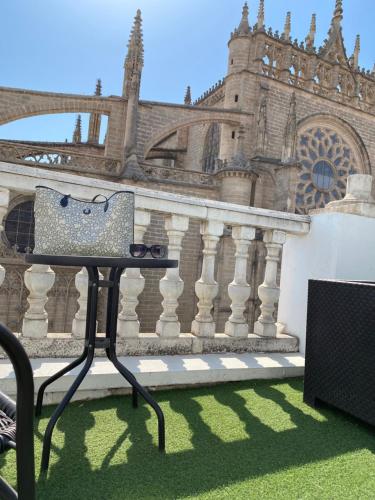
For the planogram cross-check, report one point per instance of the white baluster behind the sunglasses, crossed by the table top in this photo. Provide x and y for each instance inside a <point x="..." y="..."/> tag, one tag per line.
<point x="132" y="283"/>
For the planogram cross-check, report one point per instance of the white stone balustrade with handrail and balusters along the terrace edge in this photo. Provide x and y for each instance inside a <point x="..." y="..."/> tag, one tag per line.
<point x="177" y="211"/>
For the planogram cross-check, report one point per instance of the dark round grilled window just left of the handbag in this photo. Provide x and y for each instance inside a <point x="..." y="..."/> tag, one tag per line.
<point x="19" y="227"/>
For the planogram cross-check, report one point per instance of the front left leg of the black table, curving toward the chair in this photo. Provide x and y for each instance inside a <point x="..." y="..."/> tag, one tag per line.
<point x="92" y="300"/>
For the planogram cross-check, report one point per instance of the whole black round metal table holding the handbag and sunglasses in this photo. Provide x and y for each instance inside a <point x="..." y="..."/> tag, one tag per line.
<point x="92" y="342"/>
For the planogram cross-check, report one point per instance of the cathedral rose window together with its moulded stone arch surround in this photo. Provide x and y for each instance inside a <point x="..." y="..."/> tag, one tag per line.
<point x="329" y="150"/>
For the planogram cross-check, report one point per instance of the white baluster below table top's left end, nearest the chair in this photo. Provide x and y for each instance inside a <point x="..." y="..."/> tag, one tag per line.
<point x="39" y="279"/>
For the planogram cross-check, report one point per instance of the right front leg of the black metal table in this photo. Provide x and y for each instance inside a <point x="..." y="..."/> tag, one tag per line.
<point x="111" y="330"/>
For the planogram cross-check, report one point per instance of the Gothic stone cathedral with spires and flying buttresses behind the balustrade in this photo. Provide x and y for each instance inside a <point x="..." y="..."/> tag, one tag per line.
<point x="282" y="130"/>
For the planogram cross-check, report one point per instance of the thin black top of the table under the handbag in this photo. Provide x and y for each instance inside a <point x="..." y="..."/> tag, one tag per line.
<point x="83" y="261"/>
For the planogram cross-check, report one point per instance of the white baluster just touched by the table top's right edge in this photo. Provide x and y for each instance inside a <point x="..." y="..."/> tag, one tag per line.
<point x="172" y="286"/>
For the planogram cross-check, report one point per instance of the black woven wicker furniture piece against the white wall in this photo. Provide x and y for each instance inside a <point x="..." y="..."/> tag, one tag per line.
<point x="340" y="347"/>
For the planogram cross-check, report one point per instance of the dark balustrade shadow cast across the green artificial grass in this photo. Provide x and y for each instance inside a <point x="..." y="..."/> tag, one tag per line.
<point x="211" y="463"/>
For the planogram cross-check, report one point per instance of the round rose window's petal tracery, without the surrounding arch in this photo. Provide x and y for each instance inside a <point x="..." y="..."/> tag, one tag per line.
<point x="326" y="160"/>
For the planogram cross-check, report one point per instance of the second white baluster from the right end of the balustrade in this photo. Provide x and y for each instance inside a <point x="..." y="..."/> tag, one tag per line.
<point x="239" y="289"/>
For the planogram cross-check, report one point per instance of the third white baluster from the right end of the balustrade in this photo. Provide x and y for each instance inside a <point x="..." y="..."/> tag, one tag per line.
<point x="206" y="287"/>
